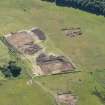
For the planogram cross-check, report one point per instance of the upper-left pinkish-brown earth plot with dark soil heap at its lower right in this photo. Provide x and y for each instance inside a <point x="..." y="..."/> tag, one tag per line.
<point x="23" y="42"/>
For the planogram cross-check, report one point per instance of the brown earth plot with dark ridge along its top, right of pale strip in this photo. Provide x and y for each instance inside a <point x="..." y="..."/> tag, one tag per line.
<point x="51" y="64"/>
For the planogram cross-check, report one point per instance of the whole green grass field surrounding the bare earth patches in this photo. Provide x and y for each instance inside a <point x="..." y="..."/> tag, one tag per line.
<point x="87" y="51"/>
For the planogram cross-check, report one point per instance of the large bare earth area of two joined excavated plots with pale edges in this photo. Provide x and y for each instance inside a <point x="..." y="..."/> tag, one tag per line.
<point x="27" y="42"/>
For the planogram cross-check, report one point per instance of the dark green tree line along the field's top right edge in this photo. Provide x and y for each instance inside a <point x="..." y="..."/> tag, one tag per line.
<point x="94" y="6"/>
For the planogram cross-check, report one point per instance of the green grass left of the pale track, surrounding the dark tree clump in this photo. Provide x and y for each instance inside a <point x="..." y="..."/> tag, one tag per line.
<point x="17" y="91"/>
